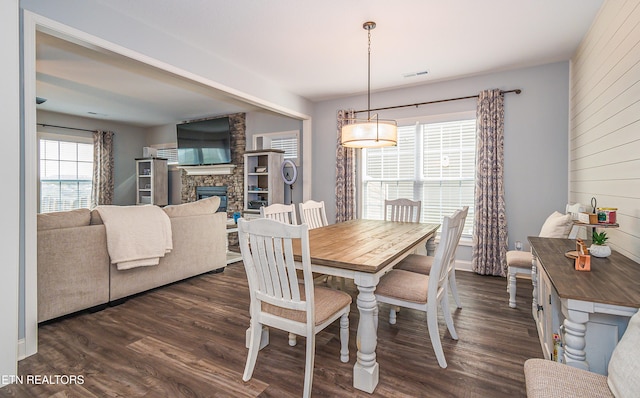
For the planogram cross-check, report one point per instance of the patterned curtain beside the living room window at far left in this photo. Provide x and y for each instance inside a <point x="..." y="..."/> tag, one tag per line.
<point x="102" y="187"/>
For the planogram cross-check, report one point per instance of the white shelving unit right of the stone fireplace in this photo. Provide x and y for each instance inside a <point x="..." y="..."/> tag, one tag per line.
<point x="263" y="183"/>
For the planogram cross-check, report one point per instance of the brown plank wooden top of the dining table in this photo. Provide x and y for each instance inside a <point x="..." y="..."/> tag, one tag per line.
<point x="364" y="245"/>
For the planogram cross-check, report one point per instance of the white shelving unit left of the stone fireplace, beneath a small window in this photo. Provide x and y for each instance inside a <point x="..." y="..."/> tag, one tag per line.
<point x="152" y="182"/>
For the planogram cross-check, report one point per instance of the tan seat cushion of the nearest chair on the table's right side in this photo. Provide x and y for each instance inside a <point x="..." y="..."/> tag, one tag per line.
<point x="404" y="285"/>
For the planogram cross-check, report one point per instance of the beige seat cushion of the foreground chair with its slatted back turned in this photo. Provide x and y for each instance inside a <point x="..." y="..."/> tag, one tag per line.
<point x="327" y="303"/>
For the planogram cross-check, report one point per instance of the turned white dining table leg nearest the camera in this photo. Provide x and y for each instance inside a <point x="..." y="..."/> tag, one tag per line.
<point x="366" y="370"/>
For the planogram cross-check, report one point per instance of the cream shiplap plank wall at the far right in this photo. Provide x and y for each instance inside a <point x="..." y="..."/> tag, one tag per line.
<point x="604" y="140"/>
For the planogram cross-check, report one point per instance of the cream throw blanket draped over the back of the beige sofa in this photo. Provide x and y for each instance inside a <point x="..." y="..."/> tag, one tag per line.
<point x="137" y="236"/>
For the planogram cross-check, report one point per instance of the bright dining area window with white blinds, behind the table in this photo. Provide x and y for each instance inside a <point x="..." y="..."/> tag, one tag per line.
<point x="433" y="163"/>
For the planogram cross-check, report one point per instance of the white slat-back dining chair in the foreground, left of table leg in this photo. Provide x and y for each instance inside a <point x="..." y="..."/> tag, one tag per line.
<point x="279" y="300"/>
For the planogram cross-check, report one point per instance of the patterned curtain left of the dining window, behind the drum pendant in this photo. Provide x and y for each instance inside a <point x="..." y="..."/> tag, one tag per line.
<point x="345" y="174"/>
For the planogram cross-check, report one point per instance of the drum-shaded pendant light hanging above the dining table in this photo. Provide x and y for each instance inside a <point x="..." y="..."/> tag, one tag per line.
<point x="370" y="132"/>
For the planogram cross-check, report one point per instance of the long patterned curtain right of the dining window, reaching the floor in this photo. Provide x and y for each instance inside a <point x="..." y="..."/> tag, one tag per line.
<point x="490" y="228"/>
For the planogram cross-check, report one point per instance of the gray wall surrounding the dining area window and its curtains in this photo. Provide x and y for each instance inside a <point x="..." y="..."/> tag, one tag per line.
<point x="535" y="137"/>
